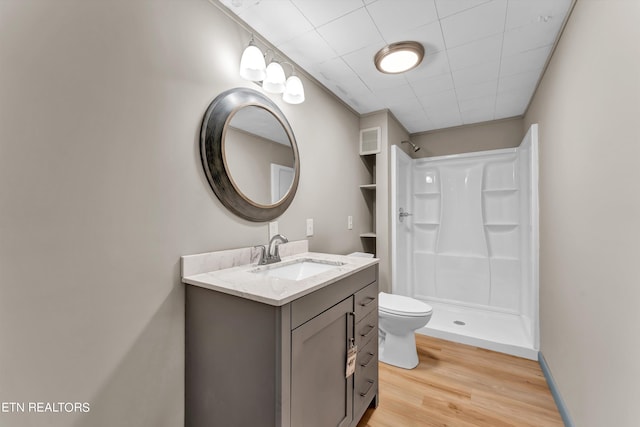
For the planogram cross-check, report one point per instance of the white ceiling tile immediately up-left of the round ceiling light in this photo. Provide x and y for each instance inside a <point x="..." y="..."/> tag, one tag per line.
<point x="351" y="32"/>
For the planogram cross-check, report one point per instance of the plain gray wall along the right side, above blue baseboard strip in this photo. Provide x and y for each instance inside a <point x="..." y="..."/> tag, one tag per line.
<point x="588" y="106"/>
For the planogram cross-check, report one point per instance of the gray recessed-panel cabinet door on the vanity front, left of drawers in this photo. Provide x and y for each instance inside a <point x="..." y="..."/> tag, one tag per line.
<point x="321" y="396"/>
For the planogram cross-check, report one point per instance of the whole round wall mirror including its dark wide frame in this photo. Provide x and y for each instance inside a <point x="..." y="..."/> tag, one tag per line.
<point x="249" y="154"/>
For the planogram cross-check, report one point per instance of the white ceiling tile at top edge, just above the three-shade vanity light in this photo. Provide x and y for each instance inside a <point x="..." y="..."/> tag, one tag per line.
<point x="278" y="24"/>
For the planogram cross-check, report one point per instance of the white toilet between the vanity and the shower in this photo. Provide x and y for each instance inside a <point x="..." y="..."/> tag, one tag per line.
<point x="399" y="317"/>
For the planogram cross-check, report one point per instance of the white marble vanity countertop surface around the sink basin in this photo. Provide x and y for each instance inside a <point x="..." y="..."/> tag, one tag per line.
<point x="240" y="281"/>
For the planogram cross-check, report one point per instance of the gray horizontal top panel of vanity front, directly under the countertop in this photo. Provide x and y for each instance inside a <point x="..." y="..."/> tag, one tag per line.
<point x="309" y="306"/>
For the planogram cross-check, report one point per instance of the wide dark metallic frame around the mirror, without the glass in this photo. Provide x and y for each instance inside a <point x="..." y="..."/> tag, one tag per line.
<point x="216" y="119"/>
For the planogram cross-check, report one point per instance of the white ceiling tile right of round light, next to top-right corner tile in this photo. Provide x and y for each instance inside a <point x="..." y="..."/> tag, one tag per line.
<point x="473" y="24"/>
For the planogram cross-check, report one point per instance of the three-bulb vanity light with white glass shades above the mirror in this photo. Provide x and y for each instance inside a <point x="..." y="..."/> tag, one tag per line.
<point x="271" y="77"/>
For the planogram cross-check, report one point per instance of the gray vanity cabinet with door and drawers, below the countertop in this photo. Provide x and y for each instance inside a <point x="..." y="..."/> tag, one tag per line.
<point x="253" y="364"/>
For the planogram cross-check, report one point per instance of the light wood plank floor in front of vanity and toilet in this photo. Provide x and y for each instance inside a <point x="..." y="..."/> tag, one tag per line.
<point x="459" y="386"/>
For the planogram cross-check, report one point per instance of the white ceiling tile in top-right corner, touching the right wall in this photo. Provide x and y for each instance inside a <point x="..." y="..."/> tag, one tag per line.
<point x="521" y="13"/>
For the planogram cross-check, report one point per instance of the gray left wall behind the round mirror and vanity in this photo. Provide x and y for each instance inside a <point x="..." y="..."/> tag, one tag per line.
<point x="101" y="192"/>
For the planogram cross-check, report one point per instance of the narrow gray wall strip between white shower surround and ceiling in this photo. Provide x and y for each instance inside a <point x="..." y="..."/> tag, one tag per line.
<point x="465" y="139"/>
